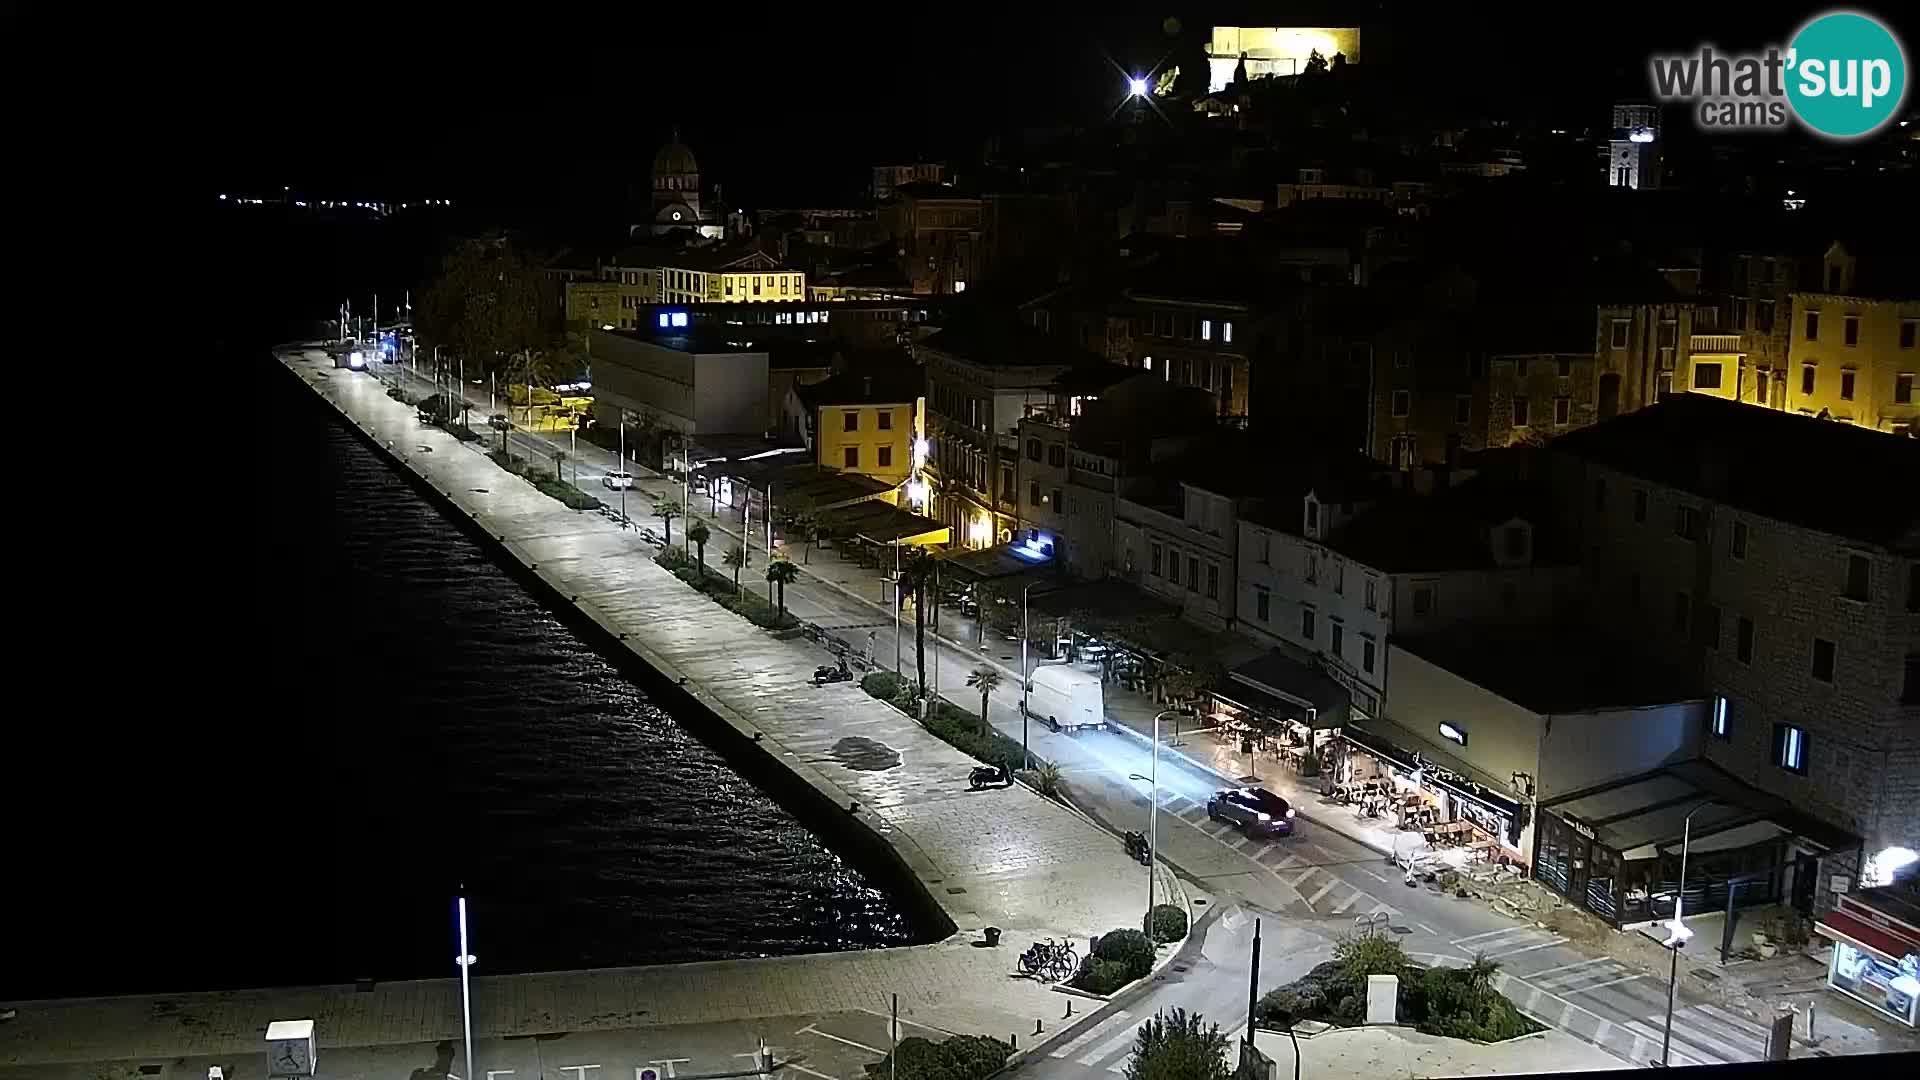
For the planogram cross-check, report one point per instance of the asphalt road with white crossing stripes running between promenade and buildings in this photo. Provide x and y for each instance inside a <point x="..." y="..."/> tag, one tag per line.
<point x="1318" y="877"/>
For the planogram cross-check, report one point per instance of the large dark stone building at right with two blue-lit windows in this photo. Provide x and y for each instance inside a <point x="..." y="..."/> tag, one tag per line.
<point x="1781" y="556"/>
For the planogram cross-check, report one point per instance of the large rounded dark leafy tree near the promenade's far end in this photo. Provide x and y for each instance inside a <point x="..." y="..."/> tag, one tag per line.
<point x="485" y="305"/>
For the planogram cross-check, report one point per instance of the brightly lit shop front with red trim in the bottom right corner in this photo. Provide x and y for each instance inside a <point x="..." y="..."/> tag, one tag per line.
<point x="1877" y="950"/>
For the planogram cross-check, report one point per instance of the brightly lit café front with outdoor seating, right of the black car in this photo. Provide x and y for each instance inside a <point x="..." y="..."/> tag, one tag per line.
<point x="1412" y="791"/>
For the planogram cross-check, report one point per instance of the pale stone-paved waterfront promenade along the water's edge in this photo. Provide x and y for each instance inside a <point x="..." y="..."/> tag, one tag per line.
<point x="1003" y="858"/>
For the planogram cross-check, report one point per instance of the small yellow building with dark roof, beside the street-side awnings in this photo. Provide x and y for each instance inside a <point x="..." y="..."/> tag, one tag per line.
<point x="867" y="424"/>
